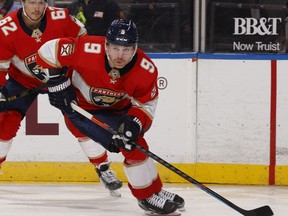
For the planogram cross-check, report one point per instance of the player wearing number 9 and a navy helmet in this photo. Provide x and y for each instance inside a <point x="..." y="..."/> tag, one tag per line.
<point x="116" y="82"/>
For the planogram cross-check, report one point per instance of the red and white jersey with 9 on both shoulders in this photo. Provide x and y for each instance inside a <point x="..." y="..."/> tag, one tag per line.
<point x="96" y="89"/>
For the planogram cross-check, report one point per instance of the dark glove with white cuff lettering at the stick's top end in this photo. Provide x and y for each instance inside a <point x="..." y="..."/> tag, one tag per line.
<point x="61" y="94"/>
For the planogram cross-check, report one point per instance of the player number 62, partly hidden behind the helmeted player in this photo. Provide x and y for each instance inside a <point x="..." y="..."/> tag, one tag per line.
<point x="22" y="32"/>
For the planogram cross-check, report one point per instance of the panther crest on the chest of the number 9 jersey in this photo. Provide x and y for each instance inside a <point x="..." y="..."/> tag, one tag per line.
<point x="105" y="97"/>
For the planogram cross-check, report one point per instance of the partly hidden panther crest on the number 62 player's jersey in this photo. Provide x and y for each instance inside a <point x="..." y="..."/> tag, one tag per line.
<point x="36" y="70"/>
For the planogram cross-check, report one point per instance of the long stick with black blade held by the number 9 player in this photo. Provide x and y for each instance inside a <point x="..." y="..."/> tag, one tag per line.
<point x="262" y="211"/>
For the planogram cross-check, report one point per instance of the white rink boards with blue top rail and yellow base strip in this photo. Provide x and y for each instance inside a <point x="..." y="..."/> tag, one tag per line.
<point x="220" y="118"/>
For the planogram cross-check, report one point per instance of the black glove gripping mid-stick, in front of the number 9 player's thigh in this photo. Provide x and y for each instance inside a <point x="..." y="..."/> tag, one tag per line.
<point x="129" y="130"/>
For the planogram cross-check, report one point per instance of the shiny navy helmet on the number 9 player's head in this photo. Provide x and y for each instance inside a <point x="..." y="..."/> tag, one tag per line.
<point x="122" y="32"/>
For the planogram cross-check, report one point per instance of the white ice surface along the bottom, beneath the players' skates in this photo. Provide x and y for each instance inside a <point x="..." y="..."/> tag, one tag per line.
<point x="94" y="200"/>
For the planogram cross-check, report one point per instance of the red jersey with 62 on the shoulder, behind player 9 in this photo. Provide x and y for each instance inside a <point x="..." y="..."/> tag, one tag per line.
<point x="19" y="44"/>
